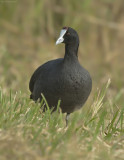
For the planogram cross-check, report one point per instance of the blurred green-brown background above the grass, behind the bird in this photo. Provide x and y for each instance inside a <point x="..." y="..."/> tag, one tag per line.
<point x="29" y="29"/>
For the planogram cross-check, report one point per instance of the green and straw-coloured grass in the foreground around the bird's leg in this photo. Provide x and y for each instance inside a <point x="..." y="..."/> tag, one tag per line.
<point x="26" y="132"/>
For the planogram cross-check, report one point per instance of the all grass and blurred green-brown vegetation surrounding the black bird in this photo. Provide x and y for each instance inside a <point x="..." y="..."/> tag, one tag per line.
<point x="28" y="31"/>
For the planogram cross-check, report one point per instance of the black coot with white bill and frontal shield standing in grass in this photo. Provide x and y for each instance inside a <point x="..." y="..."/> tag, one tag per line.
<point x="64" y="78"/>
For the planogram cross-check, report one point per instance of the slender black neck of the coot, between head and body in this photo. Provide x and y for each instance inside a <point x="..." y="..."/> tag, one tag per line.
<point x="71" y="52"/>
